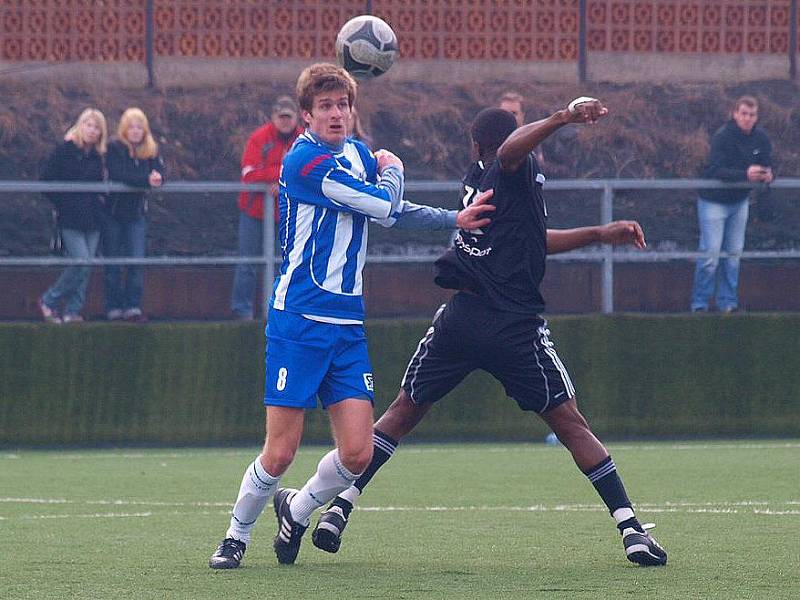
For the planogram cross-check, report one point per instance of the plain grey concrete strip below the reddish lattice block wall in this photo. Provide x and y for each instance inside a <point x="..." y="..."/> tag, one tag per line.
<point x="601" y="66"/>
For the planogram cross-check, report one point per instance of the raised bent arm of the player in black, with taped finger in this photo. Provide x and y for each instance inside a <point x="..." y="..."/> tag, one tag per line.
<point x="522" y="141"/>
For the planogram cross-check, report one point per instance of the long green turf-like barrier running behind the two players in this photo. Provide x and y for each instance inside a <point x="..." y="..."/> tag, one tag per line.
<point x="636" y="376"/>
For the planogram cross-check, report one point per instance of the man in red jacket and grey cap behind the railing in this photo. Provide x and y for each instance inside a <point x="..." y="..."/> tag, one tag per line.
<point x="261" y="163"/>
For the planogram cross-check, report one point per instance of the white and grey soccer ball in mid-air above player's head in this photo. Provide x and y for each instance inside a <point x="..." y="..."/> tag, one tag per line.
<point x="366" y="47"/>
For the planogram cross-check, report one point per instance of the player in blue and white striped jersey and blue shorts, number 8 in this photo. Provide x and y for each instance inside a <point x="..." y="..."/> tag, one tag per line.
<point x="330" y="187"/>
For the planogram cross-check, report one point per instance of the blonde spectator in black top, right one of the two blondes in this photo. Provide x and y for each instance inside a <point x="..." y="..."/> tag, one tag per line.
<point x="132" y="159"/>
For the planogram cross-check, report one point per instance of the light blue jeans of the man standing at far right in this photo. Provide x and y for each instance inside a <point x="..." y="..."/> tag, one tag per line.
<point x="722" y="228"/>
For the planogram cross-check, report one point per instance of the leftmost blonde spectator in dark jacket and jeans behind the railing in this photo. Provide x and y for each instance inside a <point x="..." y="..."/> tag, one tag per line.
<point x="79" y="158"/>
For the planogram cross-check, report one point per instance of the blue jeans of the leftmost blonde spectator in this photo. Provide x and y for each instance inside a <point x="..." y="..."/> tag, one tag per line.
<point x="70" y="287"/>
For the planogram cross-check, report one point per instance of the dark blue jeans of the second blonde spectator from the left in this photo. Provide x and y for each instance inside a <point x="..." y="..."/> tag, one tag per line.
<point x="123" y="240"/>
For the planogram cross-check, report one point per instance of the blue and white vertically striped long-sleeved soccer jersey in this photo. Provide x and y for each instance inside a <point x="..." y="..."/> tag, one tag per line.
<point x="326" y="199"/>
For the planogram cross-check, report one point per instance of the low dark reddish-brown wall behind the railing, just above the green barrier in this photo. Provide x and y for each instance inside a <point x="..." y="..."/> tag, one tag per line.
<point x="408" y="290"/>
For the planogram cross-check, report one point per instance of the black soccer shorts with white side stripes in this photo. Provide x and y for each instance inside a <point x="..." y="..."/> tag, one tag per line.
<point x="466" y="335"/>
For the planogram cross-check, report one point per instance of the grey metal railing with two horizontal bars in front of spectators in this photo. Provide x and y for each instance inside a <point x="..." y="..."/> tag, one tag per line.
<point x="607" y="255"/>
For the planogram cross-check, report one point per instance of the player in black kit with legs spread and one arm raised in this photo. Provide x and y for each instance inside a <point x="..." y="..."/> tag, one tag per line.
<point x="493" y="322"/>
